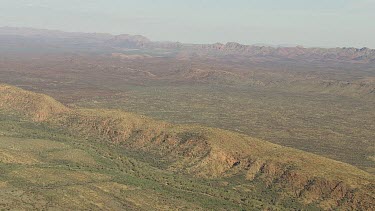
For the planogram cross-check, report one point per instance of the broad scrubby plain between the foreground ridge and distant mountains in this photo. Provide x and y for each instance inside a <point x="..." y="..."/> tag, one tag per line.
<point x="323" y="108"/>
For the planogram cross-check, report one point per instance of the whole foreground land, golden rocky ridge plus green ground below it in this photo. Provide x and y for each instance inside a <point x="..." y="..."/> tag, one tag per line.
<point x="60" y="155"/>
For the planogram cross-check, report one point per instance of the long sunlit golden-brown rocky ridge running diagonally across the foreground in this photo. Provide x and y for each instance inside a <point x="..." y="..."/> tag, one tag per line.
<point x="202" y="152"/>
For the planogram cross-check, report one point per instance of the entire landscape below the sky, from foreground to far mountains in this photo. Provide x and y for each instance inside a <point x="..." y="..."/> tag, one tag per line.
<point x="228" y="126"/>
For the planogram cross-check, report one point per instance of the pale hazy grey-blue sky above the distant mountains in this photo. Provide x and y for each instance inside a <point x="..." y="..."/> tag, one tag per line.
<point x="318" y="23"/>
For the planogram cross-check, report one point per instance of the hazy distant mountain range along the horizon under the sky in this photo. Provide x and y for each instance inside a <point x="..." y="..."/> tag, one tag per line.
<point x="96" y="42"/>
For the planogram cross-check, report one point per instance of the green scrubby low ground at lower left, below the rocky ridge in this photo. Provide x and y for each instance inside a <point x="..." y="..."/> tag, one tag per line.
<point x="61" y="171"/>
